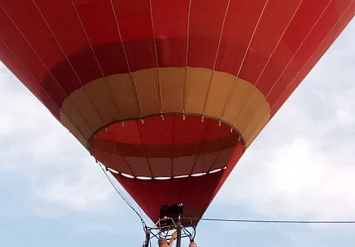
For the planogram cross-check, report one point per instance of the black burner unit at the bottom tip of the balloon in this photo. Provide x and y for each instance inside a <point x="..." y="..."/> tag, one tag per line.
<point x="169" y="214"/>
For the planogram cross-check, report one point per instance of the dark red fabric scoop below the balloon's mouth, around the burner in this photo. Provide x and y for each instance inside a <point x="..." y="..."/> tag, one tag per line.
<point x="196" y="193"/>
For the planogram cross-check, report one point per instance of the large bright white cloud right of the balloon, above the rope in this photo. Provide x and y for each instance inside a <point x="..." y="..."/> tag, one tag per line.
<point x="297" y="182"/>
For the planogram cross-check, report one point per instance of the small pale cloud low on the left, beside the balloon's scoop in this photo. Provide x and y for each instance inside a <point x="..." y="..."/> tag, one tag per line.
<point x="83" y="190"/>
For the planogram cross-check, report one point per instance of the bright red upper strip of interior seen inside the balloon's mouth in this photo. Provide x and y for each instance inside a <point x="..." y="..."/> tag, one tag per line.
<point x="173" y="129"/>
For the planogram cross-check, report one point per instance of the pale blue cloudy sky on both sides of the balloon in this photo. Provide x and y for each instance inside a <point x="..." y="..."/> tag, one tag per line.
<point x="301" y="167"/>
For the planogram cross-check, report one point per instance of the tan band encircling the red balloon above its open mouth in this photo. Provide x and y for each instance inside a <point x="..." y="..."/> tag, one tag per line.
<point x="230" y="99"/>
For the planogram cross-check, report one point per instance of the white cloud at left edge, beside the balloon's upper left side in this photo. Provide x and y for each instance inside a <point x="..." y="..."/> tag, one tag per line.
<point x="27" y="130"/>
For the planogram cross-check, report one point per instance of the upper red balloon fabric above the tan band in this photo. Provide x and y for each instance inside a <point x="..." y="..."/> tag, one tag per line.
<point x="62" y="52"/>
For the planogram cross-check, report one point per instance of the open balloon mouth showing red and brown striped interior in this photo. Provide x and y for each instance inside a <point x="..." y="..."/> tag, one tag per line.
<point x="168" y="147"/>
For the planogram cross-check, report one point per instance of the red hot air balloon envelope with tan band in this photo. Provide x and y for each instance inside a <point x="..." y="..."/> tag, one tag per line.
<point x="168" y="95"/>
